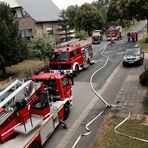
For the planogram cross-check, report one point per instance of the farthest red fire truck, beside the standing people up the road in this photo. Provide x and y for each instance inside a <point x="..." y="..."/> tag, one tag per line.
<point x="114" y="33"/>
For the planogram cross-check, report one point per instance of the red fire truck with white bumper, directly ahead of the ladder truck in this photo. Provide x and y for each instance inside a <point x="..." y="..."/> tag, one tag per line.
<point x="71" y="57"/>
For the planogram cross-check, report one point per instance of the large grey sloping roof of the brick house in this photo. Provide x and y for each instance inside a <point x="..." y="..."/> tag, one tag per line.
<point x="39" y="10"/>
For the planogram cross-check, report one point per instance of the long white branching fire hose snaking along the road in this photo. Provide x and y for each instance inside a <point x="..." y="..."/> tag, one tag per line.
<point x="107" y="105"/>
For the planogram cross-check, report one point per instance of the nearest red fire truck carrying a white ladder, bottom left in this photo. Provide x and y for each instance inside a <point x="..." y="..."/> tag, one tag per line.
<point x="30" y="111"/>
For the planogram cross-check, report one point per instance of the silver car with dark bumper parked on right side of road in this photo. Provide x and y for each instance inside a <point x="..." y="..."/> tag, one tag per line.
<point x="134" y="55"/>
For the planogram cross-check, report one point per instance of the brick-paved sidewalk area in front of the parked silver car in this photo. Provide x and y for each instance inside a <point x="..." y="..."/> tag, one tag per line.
<point x="125" y="89"/>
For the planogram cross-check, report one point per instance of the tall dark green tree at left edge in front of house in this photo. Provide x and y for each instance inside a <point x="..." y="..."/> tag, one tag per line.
<point x="11" y="47"/>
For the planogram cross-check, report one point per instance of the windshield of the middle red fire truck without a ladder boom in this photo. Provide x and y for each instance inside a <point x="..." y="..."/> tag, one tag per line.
<point x="59" y="56"/>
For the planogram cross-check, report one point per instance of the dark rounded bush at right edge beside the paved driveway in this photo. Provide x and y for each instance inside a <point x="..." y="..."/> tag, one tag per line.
<point x="144" y="78"/>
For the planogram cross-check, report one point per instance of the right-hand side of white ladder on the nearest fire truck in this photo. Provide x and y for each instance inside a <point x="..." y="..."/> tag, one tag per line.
<point x="8" y="105"/>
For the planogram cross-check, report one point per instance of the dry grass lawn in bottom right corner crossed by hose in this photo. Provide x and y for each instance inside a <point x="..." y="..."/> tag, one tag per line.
<point x="108" y="139"/>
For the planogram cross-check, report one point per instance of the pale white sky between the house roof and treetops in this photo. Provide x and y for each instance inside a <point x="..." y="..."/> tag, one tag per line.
<point x="63" y="4"/>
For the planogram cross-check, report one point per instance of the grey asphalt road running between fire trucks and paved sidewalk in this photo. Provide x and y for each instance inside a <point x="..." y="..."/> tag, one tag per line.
<point x="83" y="97"/>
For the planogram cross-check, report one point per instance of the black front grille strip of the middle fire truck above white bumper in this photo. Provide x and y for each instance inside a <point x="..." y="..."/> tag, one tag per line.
<point x="60" y="66"/>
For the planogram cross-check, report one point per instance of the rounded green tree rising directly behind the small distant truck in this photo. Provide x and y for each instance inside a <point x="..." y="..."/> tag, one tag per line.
<point x="88" y="18"/>
